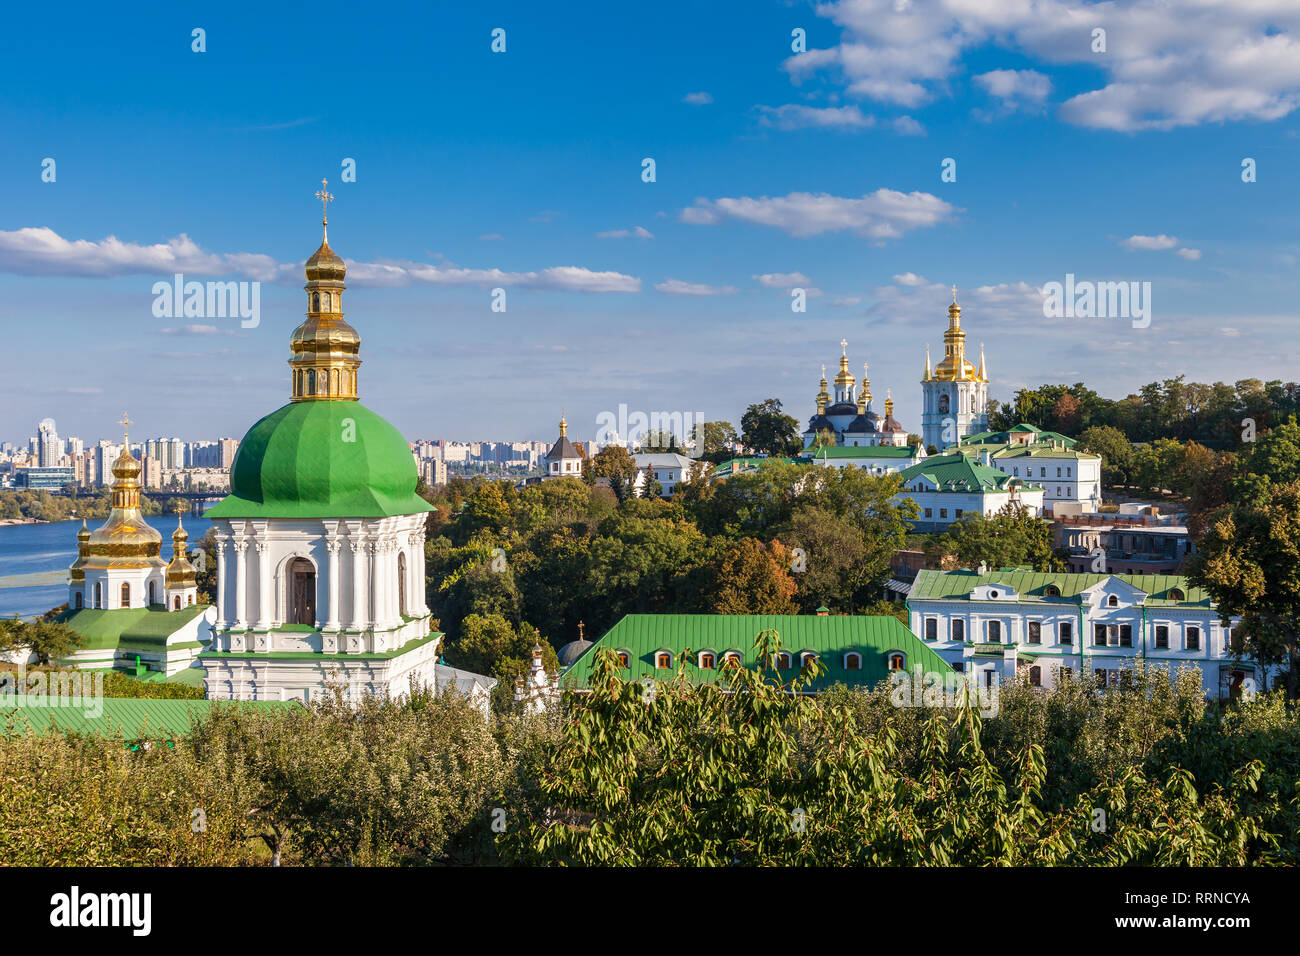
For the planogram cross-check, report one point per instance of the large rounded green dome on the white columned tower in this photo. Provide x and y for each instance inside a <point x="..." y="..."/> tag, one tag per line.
<point x="322" y="460"/>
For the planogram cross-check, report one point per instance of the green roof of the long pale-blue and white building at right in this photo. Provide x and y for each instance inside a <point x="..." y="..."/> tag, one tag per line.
<point x="1033" y="586"/>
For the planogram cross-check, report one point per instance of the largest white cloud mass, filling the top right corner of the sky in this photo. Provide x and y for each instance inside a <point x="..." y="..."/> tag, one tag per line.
<point x="1165" y="66"/>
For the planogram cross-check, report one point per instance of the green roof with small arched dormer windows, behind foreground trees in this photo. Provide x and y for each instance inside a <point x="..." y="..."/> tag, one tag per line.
<point x="831" y="637"/>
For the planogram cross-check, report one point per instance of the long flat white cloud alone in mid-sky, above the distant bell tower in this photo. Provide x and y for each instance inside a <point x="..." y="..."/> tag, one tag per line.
<point x="882" y="215"/>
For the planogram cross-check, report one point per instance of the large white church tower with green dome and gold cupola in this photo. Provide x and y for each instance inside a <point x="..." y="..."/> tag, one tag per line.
<point x="320" y="543"/>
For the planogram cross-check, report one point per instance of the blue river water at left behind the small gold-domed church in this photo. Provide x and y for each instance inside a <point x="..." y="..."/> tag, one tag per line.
<point x="53" y="547"/>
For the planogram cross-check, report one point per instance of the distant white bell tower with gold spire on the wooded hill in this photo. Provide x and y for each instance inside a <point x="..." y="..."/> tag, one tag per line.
<point x="955" y="396"/>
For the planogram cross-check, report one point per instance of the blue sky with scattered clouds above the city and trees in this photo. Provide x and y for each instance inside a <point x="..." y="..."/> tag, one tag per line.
<point x="523" y="171"/>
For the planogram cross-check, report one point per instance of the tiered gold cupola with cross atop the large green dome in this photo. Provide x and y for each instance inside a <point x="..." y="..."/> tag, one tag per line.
<point x="326" y="348"/>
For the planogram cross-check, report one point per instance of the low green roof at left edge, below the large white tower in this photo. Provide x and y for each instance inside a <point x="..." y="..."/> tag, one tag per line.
<point x="133" y="717"/>
